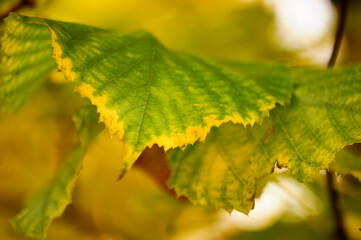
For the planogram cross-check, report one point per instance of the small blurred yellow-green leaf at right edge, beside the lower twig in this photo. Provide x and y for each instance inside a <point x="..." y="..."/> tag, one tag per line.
<point x="348" y="162"/>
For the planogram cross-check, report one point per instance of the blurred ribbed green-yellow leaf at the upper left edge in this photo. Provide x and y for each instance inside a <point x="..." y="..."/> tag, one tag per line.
<point x="25" y="62"/>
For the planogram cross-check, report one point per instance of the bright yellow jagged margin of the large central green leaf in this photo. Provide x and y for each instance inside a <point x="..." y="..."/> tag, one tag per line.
<point x="116" y="128"/>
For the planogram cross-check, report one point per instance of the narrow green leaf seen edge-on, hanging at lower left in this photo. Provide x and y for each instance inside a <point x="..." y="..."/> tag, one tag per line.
<point x="51" y="201"/>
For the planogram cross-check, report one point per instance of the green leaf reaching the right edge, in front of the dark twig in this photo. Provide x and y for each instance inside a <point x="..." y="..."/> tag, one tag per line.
<point x="325" y="117"/>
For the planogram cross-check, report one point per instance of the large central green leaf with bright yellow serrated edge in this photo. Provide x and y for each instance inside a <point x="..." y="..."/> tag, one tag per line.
<point x="147" y="94"/>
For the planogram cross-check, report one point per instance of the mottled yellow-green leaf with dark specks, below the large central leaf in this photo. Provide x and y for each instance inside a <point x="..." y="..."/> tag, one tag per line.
<point x="223" y="170"/>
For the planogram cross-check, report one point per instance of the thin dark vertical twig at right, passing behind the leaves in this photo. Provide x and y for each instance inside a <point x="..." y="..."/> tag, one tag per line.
<point x="335" y="201"/>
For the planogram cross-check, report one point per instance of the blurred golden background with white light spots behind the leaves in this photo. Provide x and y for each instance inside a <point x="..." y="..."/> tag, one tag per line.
<point x="35" y="141"/>
